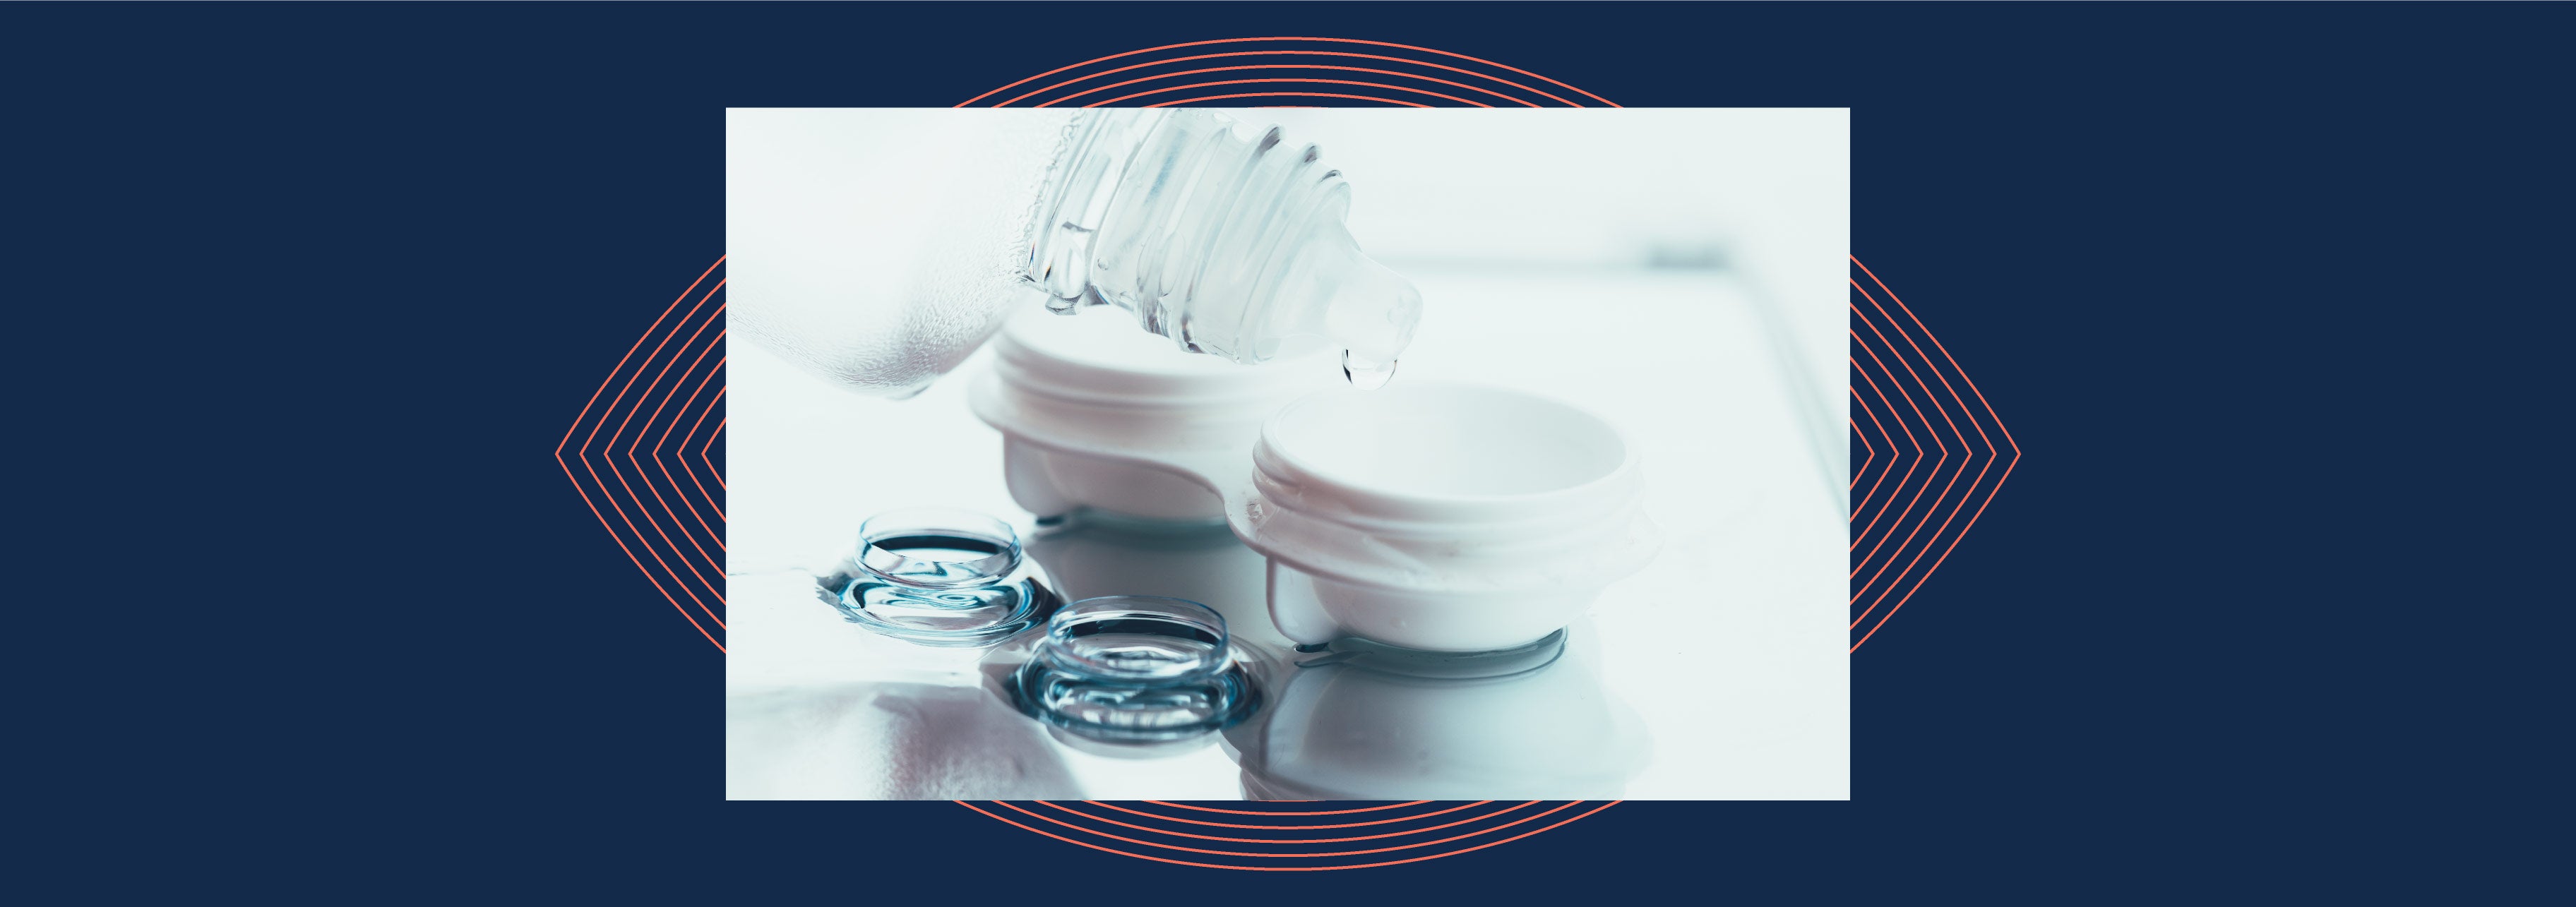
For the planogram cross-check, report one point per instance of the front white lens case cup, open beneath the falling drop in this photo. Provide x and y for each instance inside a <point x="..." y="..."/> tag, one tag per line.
<point x="1441" y="517"/>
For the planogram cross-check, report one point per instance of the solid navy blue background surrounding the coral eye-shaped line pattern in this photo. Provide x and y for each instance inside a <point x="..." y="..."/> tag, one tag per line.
<point x="308" y="295"/>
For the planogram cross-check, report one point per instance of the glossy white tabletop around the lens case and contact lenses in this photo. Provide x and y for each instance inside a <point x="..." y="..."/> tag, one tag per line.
<point x="1727" y="648"/>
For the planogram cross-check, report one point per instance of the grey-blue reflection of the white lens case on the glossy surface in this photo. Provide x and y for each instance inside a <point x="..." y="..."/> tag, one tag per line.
<point x="1369" y="723"/>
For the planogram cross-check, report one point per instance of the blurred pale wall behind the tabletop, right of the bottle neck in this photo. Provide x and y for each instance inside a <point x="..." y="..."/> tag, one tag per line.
<point x="1591" y="189"/>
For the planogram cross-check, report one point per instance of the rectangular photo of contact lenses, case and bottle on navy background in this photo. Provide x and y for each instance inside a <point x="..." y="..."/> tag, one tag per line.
<point x="1294" y="455"/>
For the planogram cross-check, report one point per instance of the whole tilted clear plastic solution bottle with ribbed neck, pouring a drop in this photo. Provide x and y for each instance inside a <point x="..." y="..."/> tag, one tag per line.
<point x="880" y="249"/>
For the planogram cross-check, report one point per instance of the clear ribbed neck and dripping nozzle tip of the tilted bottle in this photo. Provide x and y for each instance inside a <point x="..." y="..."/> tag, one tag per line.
<point x="1215" y="236"/>
